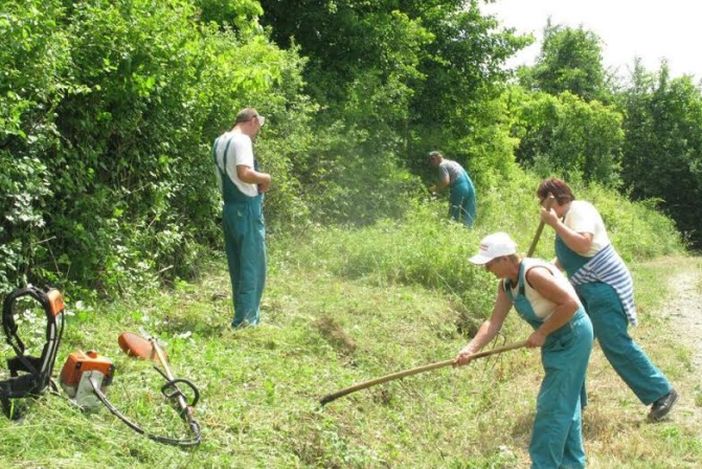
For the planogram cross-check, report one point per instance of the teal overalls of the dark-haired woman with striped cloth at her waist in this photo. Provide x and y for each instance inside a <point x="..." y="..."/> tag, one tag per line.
<point x="610" y="325"/>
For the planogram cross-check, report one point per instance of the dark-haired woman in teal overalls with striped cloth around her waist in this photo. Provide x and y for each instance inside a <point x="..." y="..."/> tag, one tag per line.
<point x="605" y="288"/>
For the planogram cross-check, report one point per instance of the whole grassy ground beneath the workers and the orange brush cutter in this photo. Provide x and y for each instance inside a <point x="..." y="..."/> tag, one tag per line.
<point x="336" y="313"/>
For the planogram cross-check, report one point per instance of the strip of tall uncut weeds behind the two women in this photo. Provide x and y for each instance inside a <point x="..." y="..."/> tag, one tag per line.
<point x="427" y="249"/>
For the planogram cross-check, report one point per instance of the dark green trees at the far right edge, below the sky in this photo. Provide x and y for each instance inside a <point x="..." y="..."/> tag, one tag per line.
<point x="663" y="147"/>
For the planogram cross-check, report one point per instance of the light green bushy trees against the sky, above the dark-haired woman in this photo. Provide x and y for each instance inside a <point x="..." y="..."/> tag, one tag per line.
<point x="562" y="124"/>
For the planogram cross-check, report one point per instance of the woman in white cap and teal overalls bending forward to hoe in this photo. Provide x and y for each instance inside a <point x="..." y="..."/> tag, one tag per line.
<point x="544" y="298"/>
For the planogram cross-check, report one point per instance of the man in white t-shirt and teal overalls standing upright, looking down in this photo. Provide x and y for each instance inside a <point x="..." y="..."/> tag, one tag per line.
<point x="242" y="188"/>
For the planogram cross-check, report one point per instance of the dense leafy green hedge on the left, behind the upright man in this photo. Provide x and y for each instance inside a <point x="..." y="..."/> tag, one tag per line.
<point x="108" y="111"/>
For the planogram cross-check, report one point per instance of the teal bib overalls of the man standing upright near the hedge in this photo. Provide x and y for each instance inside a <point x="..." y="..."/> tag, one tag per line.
<point x="244" y="243"/>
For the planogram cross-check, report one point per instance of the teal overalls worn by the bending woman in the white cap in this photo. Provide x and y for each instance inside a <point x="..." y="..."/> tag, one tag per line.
<point x="556" y="440"/>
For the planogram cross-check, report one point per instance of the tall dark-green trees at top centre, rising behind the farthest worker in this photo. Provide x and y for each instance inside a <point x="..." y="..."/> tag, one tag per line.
<point x="407" y="76"/>
